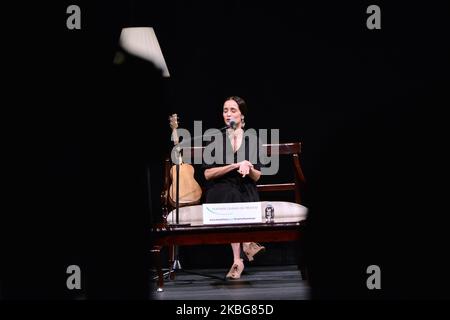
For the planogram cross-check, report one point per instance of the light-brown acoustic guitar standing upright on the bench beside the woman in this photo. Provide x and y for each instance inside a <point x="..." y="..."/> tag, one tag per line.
<point x="189" y="190"/>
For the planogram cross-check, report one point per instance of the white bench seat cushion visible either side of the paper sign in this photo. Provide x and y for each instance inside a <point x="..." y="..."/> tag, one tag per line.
<point x="283" y="211"/>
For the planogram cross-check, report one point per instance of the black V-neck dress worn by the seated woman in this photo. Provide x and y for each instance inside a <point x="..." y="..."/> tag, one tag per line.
<point x="231" y="187"/>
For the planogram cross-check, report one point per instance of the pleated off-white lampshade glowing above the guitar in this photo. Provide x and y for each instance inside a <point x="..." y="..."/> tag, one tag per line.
<point x="142" y="42"/>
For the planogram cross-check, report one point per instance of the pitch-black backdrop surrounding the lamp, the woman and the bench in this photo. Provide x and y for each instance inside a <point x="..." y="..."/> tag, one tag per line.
<point x="367" y="104"/>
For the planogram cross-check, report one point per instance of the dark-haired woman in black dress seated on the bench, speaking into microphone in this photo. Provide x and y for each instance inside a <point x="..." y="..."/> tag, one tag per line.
<point x="235" y="181"/>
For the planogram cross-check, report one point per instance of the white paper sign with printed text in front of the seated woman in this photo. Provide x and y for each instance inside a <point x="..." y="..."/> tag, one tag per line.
<point x="238" y="212"/>
